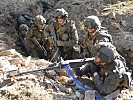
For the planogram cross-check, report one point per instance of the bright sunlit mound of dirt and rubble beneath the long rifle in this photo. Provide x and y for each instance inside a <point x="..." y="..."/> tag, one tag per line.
<point x="40" y="85"/>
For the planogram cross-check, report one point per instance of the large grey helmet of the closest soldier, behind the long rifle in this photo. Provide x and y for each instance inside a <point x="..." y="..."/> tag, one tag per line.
<point x="105" y="51"/>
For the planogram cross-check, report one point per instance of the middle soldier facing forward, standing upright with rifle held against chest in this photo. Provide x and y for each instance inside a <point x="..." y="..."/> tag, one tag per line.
<point x="62" y="34"/>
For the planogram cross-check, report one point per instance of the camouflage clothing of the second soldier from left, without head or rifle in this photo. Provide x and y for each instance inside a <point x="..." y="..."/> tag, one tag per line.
<point x="33" y="36"/>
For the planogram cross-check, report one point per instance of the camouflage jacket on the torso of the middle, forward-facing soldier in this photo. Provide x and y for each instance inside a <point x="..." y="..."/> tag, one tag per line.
<point x="66" y="33"/>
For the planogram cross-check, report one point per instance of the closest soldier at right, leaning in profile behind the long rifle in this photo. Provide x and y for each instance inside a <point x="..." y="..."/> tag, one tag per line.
<point x="109" y="70"/>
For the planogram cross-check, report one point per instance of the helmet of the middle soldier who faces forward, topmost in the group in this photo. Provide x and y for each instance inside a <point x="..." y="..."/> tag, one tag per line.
<point x="60" y="12"/>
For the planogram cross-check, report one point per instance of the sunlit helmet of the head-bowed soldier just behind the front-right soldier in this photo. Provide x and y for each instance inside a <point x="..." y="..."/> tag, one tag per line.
<point x="92" y="22"/>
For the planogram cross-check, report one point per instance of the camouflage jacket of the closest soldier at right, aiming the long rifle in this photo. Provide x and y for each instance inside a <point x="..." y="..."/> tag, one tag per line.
<point x="111" y="76"/>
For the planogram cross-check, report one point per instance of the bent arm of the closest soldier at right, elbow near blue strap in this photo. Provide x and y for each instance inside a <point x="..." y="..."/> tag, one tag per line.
<point x="108" y="85"/>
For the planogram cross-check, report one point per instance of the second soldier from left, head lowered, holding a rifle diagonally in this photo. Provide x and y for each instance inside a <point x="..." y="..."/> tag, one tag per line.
<point x="35" y="40"/>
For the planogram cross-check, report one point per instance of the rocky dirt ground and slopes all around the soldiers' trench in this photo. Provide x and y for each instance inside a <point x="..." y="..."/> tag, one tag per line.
<point x="116" y="15"/>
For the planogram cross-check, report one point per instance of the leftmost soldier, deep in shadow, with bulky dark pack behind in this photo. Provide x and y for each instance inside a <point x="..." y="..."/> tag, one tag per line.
<point x="23" y="23"/>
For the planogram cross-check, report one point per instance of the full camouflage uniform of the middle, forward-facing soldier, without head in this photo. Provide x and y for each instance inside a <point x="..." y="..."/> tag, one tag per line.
<point x="66" y="37"/>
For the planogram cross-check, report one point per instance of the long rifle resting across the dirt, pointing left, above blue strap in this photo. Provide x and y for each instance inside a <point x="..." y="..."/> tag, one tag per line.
<point x="51" y="66"/>
